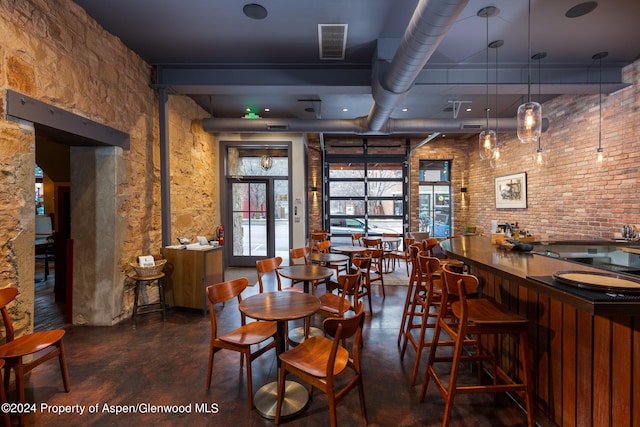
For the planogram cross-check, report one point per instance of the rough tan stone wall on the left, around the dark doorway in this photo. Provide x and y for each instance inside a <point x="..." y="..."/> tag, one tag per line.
<point x="54" y="52"/>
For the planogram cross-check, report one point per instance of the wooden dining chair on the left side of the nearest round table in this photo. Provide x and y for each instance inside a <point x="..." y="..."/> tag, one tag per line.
<point x="250" y="339"/>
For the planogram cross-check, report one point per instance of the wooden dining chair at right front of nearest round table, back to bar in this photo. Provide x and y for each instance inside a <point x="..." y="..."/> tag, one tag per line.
<point x="318" y="360"/>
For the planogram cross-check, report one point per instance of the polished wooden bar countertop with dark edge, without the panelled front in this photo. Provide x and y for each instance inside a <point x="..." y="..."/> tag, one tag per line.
<point x="535" y="271"/>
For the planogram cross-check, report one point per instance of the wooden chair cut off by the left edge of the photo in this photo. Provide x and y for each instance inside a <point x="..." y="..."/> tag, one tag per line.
<point x="24" y="353"/>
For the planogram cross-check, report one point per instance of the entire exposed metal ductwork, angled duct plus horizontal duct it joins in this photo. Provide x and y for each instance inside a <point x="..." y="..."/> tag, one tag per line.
<point x="429" y="24"/>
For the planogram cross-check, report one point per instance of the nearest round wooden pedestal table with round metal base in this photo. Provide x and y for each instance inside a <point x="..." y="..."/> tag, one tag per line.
<point x="280" y="307"/>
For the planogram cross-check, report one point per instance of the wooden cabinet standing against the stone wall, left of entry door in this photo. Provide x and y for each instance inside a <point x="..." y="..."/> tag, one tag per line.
<point x="188" y="273"/>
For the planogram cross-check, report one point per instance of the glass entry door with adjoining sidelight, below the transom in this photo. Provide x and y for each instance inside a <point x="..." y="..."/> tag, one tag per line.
<point x="260" y="220"/>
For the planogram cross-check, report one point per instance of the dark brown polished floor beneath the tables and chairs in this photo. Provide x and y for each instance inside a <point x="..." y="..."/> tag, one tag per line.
<point x="136" y="371"/>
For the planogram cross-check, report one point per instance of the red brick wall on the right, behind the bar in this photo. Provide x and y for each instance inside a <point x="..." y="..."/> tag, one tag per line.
<point x="569" y="199"/>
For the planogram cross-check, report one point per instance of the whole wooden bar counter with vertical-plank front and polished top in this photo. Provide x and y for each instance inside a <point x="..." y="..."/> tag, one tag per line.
<point x="586" y="344"/>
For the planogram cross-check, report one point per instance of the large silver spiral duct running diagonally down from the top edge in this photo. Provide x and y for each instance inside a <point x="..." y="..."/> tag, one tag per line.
<point x="430" y="22"/>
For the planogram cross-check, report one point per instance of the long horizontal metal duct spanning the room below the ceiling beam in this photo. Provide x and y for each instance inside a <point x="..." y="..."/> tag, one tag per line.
<point x="355" y="126"/>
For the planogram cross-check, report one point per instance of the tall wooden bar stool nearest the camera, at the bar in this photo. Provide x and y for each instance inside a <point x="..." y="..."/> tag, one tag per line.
<point x="482" y="319"/>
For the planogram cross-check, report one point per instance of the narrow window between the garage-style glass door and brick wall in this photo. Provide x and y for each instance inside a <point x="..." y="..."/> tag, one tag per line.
<point x="435" y="197"/>
